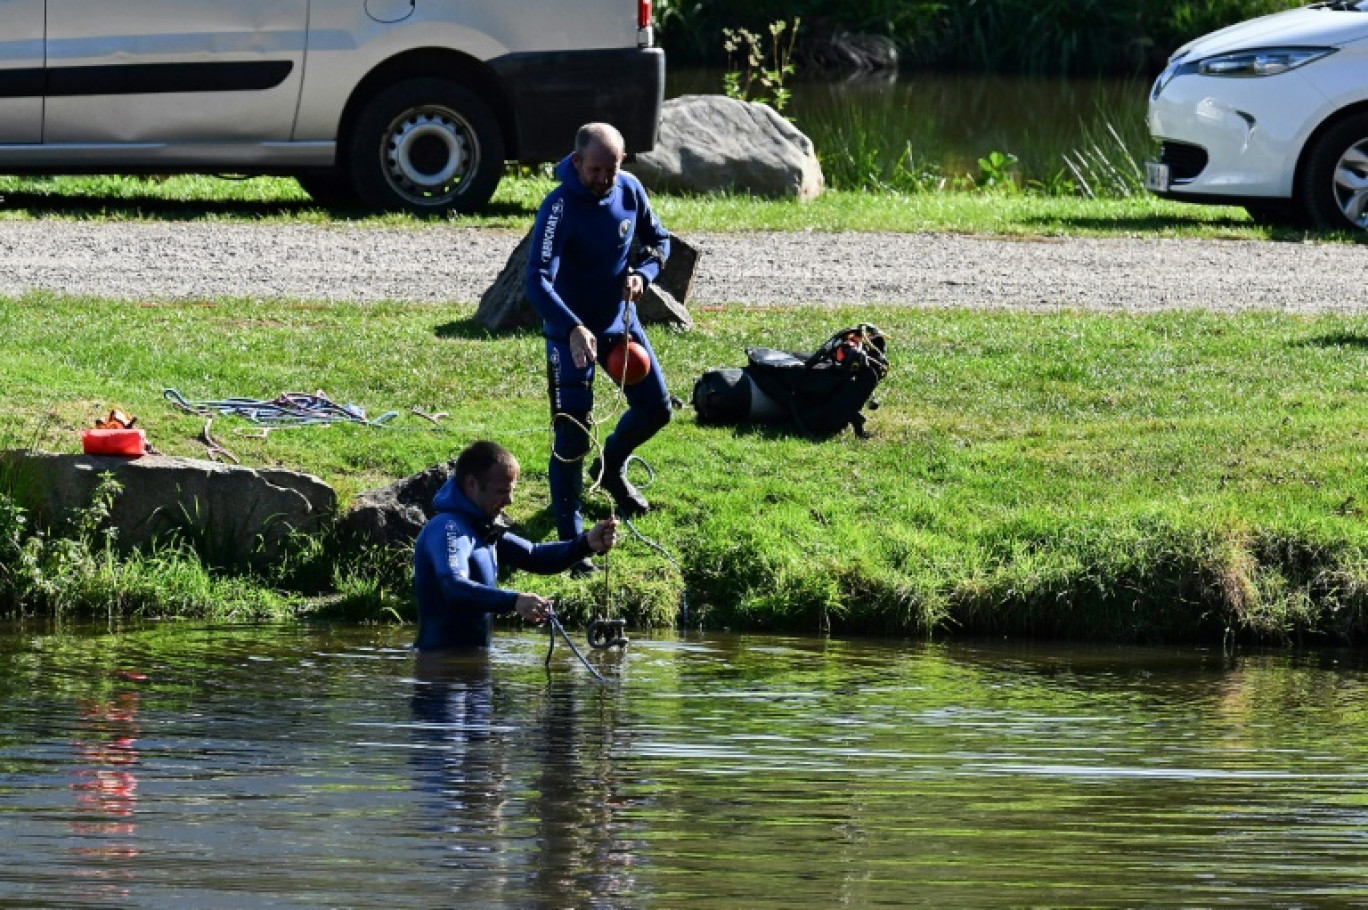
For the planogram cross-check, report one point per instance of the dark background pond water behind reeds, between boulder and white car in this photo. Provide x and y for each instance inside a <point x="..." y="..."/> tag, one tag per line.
<point x="949" y="122"/>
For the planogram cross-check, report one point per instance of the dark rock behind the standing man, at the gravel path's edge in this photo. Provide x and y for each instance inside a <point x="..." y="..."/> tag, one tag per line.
<point x="505" y="304"/>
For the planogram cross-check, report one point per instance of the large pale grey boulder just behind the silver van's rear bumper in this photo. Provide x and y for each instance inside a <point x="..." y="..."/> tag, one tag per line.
<point x="715" y="144"/>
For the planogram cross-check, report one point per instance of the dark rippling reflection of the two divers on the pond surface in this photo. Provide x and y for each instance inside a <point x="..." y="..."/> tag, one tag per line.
<point x="542" y="778"/>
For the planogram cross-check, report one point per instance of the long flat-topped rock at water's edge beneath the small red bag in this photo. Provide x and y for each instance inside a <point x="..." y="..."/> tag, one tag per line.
<point x="232" y="515"/>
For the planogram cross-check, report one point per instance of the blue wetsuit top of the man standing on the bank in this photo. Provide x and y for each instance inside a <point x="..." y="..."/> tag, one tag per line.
<point x="582" y="247"/>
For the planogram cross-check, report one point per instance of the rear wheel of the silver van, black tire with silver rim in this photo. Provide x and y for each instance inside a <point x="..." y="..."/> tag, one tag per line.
<point x="429" y="147"/>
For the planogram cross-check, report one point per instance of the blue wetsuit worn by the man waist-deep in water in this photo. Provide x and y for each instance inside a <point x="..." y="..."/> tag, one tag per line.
<point x="456" y="570"/>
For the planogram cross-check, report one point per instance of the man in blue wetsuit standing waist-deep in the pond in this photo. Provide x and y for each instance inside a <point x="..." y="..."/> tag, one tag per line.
<point x="458" y="558"/>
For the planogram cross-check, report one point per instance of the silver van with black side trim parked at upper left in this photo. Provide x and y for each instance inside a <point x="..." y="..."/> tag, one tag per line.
<point x="399" y="105"/>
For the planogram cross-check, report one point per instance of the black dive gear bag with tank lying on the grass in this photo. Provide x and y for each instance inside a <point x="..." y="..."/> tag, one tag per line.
<point x="820" y="393"/>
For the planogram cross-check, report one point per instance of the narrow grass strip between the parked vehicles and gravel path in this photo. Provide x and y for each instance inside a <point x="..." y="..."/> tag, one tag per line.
<point x="515" y="206"/>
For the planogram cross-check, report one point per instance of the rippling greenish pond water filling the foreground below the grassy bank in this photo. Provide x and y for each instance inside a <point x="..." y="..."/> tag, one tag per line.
<point x="185" y="767"/>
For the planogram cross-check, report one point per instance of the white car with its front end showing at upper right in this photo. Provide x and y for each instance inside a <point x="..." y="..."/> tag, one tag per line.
<point x="1270" y="114"/>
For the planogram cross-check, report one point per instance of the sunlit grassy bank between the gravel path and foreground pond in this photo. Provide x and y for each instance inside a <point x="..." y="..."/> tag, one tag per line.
<point x="1088" y="476"/>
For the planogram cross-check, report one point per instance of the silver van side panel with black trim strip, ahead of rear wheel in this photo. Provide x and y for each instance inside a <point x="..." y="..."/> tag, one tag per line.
<point x="183" y="72"/>
